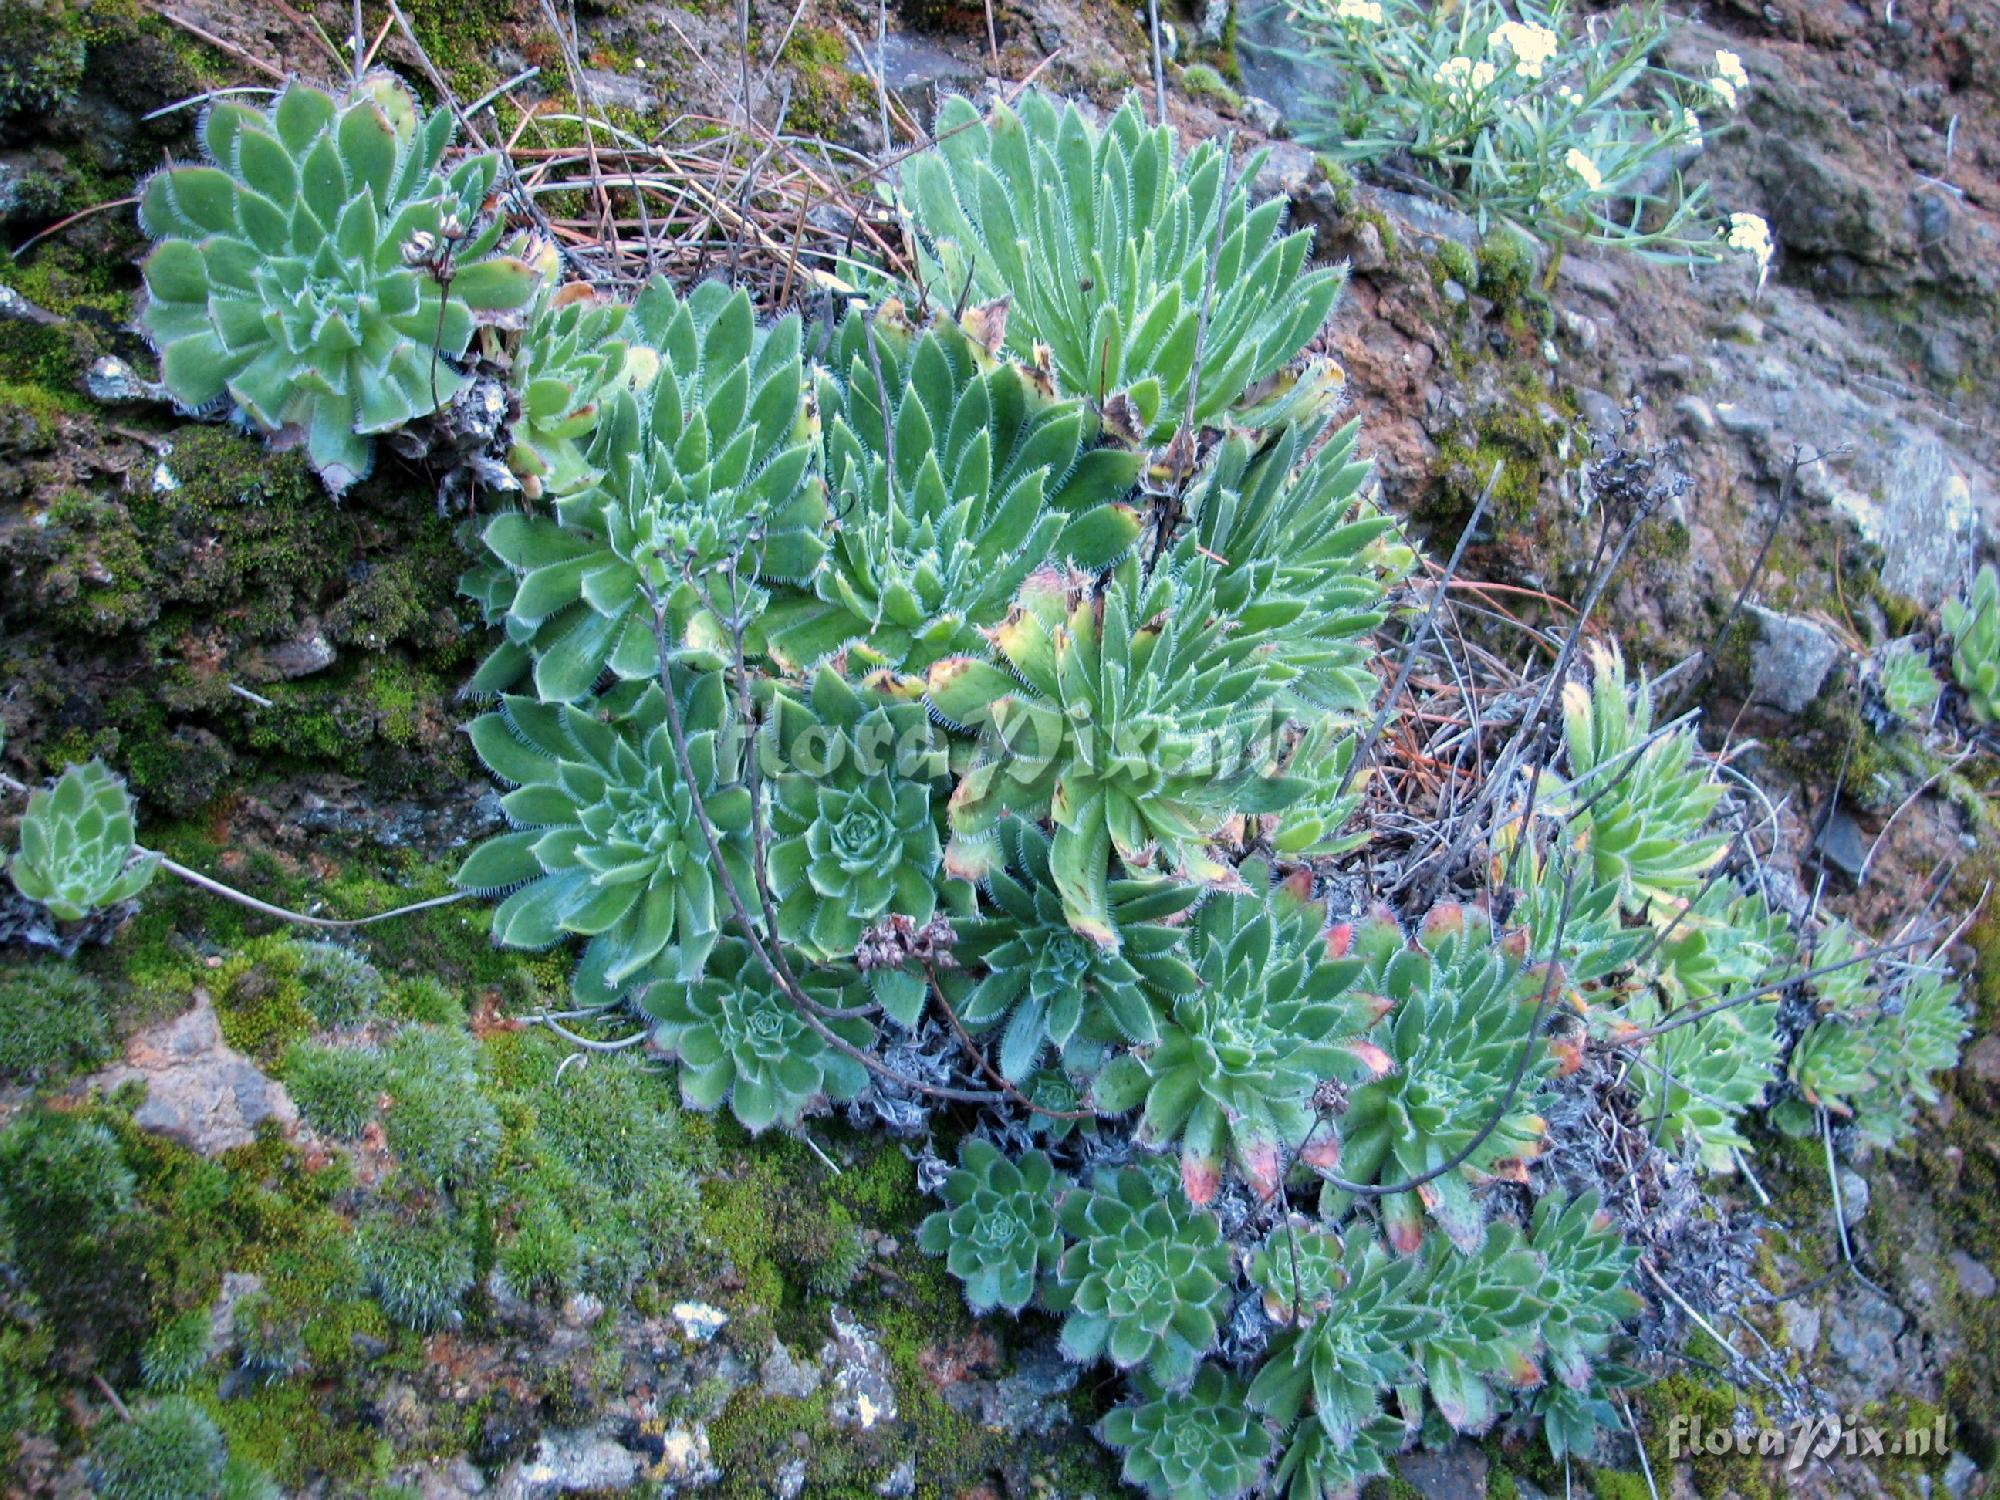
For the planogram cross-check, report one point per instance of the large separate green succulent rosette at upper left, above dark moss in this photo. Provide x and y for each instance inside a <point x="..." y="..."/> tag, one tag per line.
<point x="325" y="273"/>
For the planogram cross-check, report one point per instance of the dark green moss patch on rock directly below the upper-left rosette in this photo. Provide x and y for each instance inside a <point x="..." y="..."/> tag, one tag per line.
<point x="215" y="575"/>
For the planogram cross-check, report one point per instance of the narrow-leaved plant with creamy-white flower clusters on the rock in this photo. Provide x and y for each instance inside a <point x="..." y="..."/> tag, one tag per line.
<point x="1519" y="121"/>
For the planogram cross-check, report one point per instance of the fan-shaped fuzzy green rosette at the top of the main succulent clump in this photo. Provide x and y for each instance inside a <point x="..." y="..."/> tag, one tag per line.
<point x="1101" y="243"/>
